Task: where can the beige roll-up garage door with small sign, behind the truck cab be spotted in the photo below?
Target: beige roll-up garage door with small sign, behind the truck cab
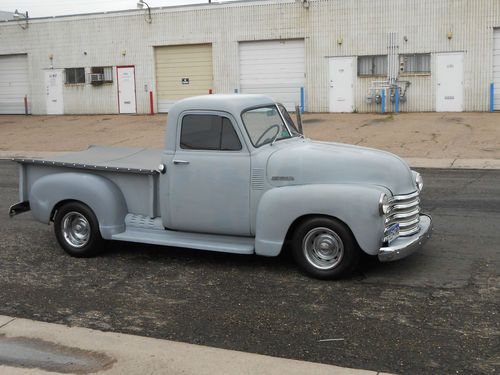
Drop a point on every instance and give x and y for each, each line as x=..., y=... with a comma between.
x=182, y=71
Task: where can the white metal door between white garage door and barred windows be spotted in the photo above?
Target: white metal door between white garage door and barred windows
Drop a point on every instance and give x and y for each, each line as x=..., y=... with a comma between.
x=341, y=84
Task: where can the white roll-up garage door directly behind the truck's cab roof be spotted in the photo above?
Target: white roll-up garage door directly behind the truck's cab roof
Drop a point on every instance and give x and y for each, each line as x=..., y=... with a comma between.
x=273, y=67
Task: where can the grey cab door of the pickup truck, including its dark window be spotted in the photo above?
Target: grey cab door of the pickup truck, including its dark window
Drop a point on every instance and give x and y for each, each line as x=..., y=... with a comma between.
x=209, y=177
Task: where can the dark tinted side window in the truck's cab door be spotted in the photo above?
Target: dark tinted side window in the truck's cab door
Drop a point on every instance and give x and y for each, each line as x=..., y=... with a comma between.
x=208, y=132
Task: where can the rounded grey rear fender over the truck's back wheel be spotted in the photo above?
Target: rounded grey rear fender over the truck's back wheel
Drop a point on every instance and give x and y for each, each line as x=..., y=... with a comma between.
x=97, y=192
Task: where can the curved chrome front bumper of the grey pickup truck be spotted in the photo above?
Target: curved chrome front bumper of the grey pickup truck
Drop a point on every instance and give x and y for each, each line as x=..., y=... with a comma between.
x=404, y=246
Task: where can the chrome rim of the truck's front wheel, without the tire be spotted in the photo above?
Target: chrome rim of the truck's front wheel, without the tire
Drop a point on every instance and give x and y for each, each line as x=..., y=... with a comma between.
x=323, y=248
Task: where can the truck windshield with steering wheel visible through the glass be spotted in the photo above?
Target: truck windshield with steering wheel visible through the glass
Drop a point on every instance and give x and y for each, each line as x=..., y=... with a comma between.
x=264, y=125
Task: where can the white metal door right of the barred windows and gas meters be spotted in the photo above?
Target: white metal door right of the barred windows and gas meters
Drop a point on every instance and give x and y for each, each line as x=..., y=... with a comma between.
x=450, y=82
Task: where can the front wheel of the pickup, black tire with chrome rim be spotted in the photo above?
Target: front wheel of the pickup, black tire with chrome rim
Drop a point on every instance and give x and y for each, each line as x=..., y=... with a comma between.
x=325, y=248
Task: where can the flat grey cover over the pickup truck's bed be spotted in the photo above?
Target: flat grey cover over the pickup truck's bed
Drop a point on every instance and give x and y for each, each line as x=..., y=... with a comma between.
x=121, y=159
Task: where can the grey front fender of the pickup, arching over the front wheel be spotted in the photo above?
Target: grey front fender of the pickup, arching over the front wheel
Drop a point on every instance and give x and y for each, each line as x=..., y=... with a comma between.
x=355, y=205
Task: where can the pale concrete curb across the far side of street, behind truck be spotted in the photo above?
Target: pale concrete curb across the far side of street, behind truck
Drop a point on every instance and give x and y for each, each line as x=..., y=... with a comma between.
x=412, y=162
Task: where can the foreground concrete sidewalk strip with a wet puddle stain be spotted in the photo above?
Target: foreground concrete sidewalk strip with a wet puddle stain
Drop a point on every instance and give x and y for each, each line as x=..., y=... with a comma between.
x=117, y=353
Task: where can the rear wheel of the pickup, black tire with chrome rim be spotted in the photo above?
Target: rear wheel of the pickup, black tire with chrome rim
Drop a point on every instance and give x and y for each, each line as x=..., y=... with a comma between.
x=77, y=230
